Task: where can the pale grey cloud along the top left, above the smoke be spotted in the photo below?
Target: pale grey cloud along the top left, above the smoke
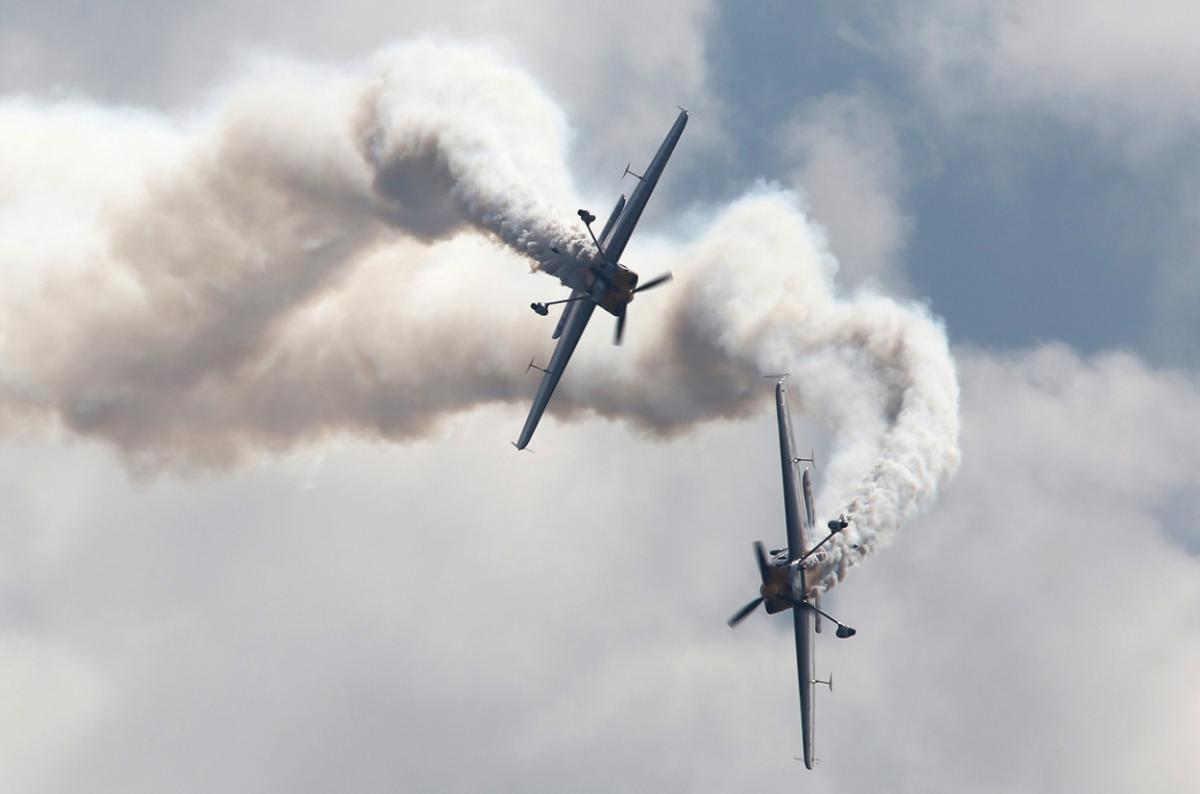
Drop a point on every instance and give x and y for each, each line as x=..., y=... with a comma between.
x=628, y=62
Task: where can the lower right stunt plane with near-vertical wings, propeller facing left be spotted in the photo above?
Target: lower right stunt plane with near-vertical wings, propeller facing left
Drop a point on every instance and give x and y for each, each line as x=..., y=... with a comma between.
x=785, y=572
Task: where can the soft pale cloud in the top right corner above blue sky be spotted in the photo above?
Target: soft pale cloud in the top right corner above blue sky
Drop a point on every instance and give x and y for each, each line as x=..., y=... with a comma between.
x=1118, y=70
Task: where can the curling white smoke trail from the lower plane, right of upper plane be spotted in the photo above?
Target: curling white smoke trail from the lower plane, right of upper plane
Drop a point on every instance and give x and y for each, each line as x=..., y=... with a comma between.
x=757, y=294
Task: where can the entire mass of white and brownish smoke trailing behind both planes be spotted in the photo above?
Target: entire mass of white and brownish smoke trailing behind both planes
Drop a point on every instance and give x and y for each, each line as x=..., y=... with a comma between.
x=334, y=251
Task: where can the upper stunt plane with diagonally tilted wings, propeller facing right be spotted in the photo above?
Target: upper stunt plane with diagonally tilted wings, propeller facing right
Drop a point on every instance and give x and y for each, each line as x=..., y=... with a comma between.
x=607, y=284
